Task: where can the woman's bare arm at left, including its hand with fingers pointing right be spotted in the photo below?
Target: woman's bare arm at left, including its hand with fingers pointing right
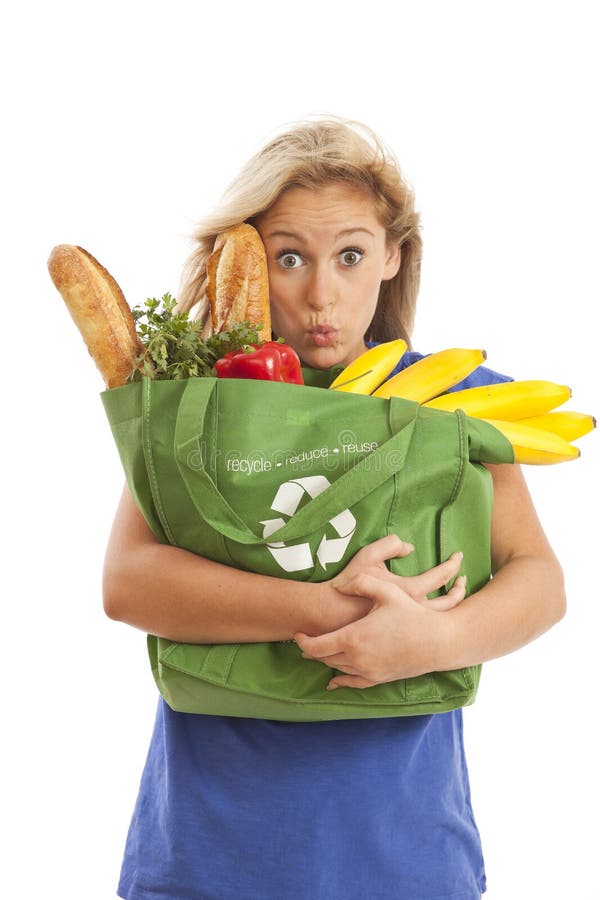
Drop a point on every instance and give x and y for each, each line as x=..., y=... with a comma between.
x=176, y=594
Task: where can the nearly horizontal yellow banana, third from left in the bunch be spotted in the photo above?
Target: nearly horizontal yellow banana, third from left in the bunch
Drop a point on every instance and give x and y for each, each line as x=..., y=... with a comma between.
x=509, y=400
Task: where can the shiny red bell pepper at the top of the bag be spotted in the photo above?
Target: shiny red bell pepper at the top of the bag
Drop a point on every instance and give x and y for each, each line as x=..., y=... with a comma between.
x=271, y=361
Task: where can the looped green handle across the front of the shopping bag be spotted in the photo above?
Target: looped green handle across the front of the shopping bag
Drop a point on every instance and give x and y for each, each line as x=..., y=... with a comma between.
x=351, y=487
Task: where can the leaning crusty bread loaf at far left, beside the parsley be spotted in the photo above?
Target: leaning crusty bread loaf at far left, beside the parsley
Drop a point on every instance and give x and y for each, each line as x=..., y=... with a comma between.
x=99, y=310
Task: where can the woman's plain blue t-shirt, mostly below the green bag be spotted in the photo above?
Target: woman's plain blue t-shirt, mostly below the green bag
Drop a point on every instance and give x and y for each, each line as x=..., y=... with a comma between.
x=346, y=810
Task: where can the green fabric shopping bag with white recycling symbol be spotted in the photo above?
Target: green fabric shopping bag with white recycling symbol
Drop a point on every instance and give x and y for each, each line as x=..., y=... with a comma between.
x=292, y=481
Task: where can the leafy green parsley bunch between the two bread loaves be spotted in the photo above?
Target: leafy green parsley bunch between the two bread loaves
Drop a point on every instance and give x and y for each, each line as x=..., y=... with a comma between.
x=172, y=342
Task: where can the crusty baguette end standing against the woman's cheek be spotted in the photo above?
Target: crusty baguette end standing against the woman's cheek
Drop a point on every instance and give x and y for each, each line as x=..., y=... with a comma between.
x=237, y=281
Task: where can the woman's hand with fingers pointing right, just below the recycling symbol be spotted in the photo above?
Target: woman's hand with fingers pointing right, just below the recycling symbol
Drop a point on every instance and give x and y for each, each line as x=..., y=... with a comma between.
x=341, y=609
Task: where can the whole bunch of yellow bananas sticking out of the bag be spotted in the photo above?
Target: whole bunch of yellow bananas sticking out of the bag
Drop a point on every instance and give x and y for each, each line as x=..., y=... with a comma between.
x=524, y=411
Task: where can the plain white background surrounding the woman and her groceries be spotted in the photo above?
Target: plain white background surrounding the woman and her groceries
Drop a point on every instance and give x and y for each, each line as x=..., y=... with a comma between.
x=123, y=123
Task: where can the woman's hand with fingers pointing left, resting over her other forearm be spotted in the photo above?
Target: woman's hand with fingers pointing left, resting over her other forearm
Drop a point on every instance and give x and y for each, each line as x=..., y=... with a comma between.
x=400, y=637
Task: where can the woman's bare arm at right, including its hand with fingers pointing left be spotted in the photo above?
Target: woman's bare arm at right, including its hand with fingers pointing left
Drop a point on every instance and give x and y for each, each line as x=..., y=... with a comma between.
x=400, y=638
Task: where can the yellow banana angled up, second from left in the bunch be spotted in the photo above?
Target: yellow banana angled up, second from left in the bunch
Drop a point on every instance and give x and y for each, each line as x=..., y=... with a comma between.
x=432, y=375
